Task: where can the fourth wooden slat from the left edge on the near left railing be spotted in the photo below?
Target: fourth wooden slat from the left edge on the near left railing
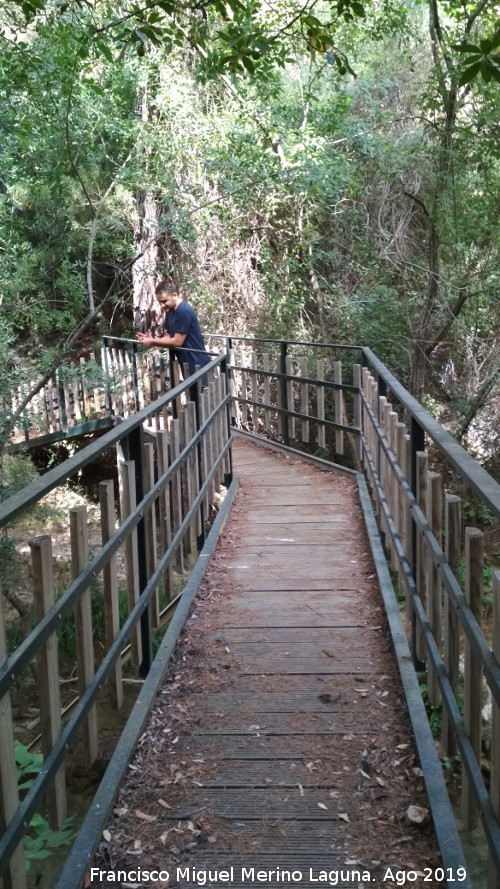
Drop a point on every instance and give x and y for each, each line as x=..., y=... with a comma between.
x=110, y=585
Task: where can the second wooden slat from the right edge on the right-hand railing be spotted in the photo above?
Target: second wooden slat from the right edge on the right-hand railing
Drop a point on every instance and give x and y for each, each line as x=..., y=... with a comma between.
x=474, y=560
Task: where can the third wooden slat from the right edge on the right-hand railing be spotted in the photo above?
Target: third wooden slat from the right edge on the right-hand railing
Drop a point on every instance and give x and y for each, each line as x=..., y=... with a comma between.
x=453, y=552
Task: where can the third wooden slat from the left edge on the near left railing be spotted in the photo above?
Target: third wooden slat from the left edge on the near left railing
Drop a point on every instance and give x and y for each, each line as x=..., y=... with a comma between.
x=79, y=538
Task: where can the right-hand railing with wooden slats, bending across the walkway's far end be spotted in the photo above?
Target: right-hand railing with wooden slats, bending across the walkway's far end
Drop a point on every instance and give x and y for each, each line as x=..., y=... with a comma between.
x=416, y=472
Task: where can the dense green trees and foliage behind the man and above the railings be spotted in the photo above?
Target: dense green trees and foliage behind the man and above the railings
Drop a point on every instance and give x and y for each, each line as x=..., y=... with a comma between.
x=327, y=170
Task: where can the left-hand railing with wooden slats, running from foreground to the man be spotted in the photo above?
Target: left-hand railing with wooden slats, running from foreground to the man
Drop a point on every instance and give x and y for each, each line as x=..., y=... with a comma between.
x=173, y=457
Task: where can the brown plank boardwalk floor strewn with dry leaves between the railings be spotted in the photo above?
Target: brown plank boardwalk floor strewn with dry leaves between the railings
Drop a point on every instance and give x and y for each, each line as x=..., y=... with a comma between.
x=281, y=739
